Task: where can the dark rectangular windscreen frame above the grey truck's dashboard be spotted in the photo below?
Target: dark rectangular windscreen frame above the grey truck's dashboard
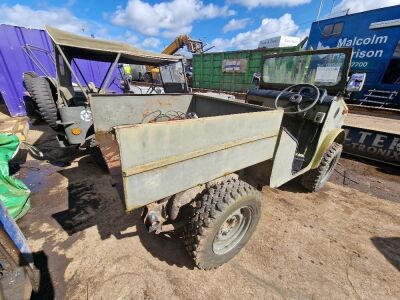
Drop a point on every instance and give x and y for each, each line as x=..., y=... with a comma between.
x=340, y=86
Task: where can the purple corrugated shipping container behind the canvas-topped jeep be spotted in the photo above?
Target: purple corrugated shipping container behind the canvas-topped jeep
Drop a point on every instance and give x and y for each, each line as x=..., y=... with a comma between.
x=14, y=61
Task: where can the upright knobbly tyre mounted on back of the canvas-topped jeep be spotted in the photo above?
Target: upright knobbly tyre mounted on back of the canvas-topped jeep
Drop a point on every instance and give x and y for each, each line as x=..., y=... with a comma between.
x=43, y=97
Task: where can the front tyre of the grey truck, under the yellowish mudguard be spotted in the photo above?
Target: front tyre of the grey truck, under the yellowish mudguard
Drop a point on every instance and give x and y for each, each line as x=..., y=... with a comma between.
x=315, y=179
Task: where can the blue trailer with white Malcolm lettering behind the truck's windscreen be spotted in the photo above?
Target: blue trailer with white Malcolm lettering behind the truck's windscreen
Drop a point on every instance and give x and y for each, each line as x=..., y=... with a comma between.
x=375, y=38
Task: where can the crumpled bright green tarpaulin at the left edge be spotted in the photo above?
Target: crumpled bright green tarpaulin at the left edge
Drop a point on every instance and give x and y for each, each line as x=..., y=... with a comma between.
x=13, y=193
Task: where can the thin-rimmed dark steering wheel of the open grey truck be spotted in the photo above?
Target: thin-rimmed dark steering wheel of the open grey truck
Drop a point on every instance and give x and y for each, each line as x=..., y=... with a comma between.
x=297, y=98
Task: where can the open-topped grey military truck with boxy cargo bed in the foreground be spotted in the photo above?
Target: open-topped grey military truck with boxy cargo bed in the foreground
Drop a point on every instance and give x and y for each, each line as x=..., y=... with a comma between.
x=198, y=163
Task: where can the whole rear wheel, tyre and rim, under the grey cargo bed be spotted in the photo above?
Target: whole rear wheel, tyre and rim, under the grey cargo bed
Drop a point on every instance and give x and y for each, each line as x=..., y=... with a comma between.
x=223, y=220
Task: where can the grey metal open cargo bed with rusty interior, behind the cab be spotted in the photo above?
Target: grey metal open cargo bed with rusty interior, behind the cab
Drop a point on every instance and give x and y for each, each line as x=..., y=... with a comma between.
x=160, y=159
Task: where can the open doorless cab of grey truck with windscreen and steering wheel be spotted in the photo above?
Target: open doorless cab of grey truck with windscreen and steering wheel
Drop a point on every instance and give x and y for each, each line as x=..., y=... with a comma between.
x=309, y=87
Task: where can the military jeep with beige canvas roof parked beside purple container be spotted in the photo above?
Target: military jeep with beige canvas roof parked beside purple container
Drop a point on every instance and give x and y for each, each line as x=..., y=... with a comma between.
x=63, y=101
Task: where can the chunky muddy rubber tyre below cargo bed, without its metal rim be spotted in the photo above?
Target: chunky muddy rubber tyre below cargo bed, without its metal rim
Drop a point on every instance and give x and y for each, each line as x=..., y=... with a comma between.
x=210, y=210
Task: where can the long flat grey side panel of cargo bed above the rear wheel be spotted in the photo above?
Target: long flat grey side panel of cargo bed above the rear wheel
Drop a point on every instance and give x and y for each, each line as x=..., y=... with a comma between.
x=162, y=159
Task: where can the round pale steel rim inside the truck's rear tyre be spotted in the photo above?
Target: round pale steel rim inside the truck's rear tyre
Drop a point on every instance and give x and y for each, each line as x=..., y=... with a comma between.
x=232, y=230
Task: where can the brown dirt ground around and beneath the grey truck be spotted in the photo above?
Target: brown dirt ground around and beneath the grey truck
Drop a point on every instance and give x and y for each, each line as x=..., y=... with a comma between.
x=342, y=242
